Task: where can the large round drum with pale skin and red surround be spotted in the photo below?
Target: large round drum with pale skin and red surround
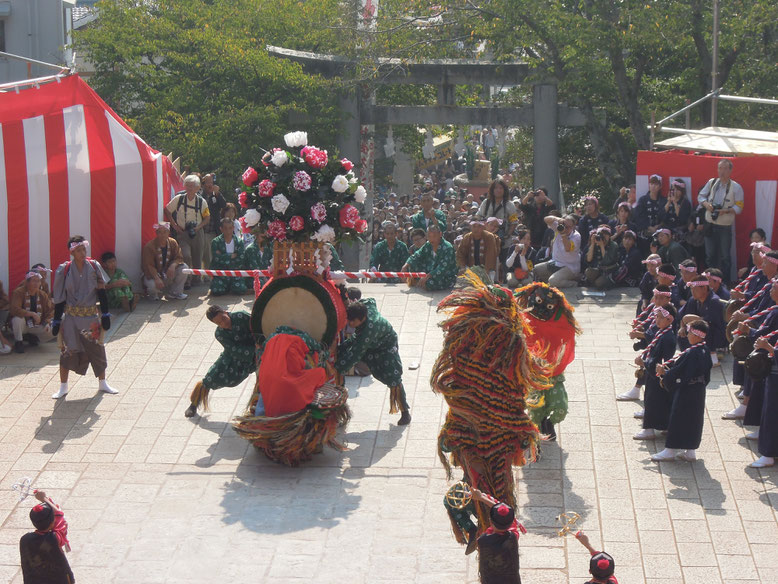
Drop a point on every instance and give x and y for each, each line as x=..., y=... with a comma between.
x=304, y=302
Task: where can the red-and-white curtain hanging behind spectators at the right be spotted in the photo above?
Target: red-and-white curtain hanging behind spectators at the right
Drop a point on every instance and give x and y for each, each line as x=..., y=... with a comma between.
x=758, y=175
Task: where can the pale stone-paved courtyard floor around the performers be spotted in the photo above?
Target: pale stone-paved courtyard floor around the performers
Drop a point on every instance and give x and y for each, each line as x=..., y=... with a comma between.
x=153, y=497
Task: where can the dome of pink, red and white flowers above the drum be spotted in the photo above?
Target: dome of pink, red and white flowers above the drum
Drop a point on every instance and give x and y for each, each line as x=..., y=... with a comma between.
x=301, y=194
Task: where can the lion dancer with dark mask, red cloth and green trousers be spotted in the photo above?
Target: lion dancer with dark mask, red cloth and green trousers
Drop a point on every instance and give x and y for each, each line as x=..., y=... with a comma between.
x=553, y=329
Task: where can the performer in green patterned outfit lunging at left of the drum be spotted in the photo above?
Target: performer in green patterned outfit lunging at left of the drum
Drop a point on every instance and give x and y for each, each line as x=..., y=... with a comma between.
x=237, y=361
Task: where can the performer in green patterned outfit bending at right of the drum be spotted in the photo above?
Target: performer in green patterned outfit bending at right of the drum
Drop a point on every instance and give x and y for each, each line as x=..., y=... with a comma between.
x=375, y=342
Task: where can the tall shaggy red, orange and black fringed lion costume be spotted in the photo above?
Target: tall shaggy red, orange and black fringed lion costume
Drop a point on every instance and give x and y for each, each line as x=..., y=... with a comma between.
x=485, y=373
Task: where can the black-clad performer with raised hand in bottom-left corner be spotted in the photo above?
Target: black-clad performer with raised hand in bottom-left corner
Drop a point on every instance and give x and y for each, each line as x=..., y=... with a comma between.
x=43, y=551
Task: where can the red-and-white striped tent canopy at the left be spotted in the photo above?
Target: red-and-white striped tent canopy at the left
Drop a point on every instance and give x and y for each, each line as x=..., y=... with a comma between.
x=70, y=165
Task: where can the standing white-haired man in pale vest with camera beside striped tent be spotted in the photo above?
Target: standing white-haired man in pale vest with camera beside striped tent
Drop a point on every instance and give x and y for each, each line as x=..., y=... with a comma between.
x=188, y=215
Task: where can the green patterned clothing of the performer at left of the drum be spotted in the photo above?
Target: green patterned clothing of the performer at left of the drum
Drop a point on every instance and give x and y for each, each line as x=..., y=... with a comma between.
x=238, y=360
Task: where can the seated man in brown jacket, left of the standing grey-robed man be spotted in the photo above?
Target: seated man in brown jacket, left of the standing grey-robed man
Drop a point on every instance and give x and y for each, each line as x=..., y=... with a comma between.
x=31, y=313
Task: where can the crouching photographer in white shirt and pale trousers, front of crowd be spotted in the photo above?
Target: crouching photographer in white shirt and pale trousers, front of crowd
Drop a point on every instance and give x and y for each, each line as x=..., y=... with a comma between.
x=564, y=268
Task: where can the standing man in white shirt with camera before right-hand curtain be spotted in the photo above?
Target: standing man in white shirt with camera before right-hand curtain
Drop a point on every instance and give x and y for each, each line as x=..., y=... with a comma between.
x=722, y=199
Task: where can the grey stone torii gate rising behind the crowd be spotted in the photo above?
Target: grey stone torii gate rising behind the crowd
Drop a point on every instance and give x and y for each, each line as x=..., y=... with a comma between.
x=545, y=115
